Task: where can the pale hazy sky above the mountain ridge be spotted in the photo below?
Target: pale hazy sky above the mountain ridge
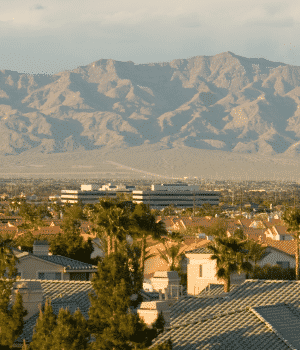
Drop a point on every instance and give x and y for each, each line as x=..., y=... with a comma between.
x=50, y=36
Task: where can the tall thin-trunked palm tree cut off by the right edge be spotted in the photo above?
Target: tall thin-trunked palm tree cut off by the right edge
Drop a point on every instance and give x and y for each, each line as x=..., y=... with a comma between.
x=291, y=218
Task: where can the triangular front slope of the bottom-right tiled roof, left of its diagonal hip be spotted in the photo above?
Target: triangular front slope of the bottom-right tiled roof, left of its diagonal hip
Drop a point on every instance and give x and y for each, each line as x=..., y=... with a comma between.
x=240, y=329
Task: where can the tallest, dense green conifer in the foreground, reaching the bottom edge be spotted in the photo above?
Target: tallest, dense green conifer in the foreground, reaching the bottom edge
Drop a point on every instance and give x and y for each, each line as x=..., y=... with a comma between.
x=111, y=322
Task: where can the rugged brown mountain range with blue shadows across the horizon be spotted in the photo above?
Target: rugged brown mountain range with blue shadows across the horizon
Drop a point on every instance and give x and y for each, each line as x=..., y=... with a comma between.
x=239, y=106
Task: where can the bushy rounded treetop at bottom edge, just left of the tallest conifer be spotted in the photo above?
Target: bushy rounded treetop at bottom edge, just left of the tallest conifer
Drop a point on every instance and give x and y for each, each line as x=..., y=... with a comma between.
x=71, y=331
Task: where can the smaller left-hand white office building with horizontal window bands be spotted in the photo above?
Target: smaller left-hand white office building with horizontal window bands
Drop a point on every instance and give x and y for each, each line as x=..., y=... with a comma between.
x=87, y=194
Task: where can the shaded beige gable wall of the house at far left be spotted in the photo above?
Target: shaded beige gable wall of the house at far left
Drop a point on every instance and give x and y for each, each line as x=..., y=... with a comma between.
x=29, y=267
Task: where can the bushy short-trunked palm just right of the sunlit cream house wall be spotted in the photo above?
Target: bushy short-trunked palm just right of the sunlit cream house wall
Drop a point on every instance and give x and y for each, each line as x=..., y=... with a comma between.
x=229, y=254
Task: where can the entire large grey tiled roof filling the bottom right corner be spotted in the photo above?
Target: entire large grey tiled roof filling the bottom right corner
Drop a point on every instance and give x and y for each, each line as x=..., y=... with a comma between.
x=242, y=319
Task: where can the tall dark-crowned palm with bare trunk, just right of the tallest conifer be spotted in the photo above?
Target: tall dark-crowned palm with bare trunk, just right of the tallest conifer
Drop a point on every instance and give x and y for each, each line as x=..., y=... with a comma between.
x=145, y=225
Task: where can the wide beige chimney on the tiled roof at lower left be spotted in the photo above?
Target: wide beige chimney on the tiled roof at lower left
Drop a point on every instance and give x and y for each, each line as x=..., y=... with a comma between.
x=32, y=295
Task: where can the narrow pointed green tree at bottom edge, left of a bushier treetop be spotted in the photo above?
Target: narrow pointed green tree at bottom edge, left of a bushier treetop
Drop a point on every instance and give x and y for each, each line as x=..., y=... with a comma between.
x=42, y=338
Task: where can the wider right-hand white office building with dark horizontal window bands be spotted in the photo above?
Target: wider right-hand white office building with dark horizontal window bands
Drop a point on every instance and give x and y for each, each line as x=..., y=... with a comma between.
x=181, y=195
